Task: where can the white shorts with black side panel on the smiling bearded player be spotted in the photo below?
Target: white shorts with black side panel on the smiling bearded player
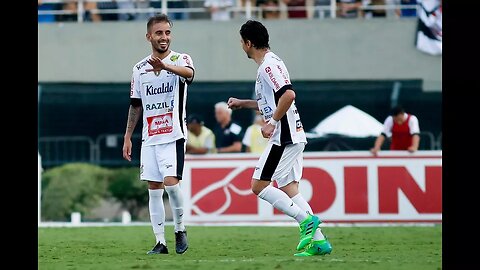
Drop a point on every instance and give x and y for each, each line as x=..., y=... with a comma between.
x=161, y=160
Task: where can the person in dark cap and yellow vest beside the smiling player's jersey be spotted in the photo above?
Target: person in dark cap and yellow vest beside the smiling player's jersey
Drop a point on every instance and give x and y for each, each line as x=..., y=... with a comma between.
x=201, y=139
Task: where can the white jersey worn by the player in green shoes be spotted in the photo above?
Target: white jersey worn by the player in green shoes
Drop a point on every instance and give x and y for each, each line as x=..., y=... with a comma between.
x=272, y=81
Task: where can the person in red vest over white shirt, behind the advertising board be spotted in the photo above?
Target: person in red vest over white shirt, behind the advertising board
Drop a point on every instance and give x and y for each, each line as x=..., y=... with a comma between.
x=403, y=129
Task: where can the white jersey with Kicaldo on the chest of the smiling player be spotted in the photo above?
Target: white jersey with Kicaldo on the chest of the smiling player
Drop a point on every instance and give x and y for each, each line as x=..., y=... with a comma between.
x=164, y=96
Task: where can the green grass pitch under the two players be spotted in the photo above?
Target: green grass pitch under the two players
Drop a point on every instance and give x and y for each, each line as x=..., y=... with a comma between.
x=239, y=248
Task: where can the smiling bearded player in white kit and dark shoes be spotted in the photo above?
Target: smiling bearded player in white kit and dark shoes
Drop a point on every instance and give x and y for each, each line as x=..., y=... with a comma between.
x=159, y=90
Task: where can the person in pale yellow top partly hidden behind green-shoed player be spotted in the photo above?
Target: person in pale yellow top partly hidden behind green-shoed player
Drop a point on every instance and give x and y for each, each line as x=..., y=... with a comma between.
x=253, y=138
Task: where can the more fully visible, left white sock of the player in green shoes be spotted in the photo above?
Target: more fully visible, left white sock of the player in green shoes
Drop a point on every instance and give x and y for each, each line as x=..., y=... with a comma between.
x=282, y=202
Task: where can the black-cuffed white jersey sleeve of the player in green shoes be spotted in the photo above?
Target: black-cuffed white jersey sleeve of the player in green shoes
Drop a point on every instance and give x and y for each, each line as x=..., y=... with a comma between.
x=276, y=78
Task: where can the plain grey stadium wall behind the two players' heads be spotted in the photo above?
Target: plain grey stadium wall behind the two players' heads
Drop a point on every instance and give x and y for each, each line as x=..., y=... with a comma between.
x=328, y=49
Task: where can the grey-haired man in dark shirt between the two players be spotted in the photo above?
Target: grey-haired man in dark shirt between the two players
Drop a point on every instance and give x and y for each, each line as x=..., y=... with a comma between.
x=228, y=135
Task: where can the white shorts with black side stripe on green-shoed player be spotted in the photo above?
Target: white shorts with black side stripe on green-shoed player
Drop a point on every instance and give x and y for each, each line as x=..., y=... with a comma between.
x=282, y=164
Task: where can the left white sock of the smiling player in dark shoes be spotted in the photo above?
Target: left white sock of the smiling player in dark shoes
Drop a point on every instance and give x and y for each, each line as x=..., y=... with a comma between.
x=157, y=214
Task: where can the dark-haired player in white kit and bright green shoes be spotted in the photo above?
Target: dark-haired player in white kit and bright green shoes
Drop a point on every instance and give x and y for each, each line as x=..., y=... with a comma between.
x=282, y=159
